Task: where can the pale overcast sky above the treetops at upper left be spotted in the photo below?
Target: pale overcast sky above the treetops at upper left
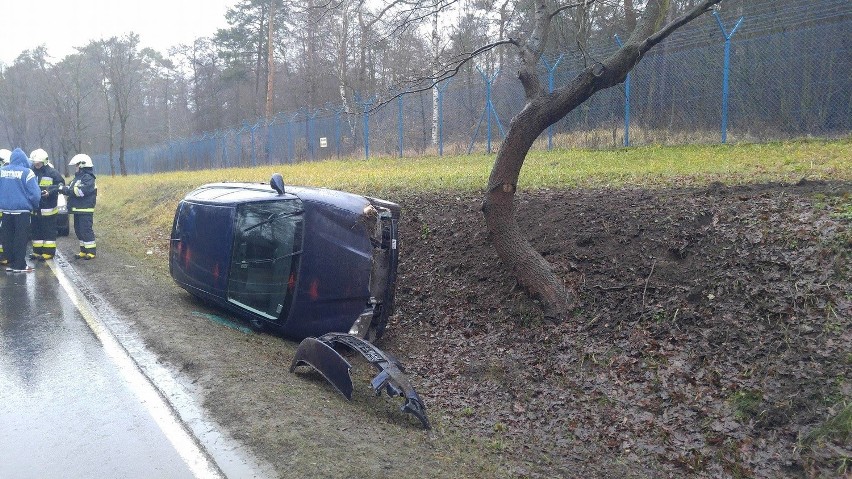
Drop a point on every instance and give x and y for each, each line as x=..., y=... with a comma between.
x=62, y=25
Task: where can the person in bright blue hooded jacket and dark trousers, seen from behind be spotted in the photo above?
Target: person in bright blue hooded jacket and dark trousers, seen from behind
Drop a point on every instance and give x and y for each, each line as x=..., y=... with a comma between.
x=19, y=196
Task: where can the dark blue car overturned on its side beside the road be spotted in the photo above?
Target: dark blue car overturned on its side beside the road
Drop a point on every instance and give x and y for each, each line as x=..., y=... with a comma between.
x=302, y=262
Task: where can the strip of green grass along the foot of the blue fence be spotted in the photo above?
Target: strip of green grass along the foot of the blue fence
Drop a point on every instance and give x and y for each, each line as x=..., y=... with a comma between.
x=135, y=212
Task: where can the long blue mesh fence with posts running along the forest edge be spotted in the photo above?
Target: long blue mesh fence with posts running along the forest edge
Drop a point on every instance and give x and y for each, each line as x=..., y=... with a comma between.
x=748, y=78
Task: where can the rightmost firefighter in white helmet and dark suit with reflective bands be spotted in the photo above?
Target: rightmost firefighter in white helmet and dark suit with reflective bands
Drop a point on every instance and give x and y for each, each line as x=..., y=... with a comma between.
x=82, y=194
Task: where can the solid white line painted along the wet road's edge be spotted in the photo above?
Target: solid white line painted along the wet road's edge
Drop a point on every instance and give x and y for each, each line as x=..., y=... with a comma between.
x=184, y=443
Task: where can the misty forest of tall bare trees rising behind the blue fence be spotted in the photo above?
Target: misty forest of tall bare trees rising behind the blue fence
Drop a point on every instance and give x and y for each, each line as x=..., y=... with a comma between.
x=112, y=95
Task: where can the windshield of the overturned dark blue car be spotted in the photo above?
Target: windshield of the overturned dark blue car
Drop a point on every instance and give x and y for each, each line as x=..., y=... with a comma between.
x=267, y=245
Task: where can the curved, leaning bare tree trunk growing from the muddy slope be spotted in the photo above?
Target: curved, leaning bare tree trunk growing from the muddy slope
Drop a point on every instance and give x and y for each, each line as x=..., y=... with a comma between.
x=543, y=109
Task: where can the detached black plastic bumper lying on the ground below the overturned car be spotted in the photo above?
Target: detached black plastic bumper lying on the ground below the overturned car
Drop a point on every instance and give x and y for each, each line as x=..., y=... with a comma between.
x=319, y=353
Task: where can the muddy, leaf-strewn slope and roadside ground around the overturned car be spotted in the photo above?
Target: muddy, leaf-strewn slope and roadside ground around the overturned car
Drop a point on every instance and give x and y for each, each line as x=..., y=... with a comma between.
x=711, y=339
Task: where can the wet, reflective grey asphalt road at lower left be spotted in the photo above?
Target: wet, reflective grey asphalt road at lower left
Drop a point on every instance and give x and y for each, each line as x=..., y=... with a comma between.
x=70, y=405
